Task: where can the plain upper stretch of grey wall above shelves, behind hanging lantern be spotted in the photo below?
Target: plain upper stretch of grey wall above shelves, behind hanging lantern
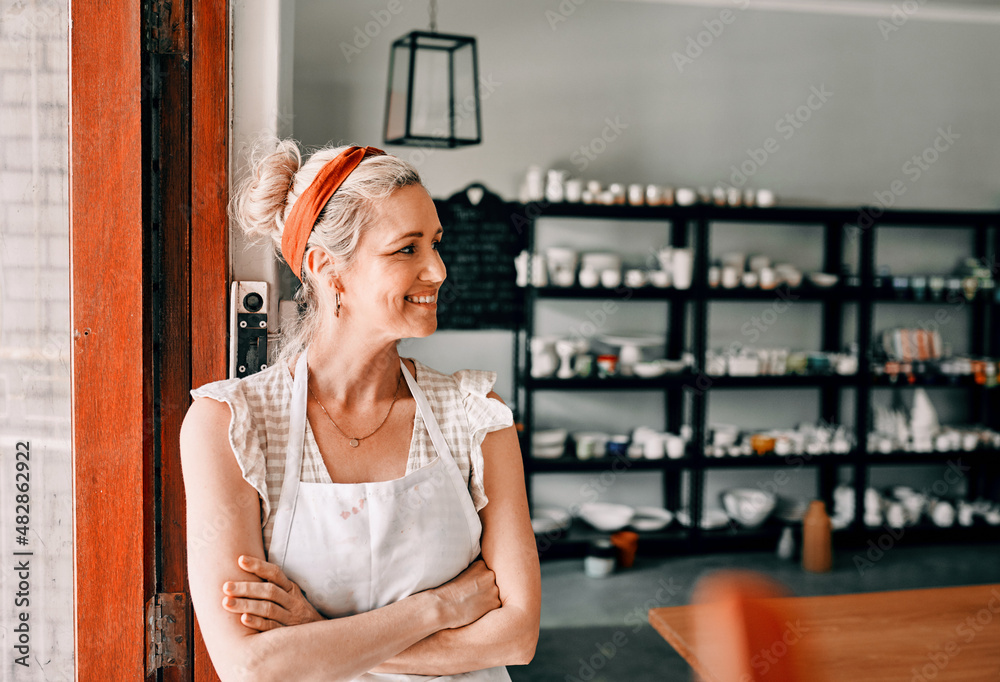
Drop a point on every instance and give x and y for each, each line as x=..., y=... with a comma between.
x=555, y=87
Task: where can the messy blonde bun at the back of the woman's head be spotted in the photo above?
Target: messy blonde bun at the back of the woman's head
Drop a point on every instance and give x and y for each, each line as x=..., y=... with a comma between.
x=260, y=201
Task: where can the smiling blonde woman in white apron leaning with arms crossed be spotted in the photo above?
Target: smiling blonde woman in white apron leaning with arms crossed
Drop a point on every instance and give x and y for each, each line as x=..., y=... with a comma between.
x=338, y=501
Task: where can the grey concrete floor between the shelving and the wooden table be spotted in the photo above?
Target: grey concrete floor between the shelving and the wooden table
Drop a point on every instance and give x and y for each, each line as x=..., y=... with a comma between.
x=581, y=614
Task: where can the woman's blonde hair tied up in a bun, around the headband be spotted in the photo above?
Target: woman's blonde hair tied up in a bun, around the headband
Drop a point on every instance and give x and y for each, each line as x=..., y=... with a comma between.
x=262, y=201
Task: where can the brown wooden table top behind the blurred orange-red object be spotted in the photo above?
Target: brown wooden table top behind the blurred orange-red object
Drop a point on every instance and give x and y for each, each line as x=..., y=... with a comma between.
x=943, y=634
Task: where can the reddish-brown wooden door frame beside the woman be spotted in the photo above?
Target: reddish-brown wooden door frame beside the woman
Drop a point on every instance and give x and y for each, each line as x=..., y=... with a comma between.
x=116, y=415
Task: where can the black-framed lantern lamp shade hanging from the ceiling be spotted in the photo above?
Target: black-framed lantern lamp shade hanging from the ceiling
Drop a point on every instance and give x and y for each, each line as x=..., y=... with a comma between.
x=433, y=96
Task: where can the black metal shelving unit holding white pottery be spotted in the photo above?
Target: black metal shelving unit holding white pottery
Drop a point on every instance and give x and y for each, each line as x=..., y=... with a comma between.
x=689, y=392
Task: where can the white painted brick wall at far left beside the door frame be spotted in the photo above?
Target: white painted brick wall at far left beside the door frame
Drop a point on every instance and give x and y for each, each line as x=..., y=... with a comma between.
x=35, y=330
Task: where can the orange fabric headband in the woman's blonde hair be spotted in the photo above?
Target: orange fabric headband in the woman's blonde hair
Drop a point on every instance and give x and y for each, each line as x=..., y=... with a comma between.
x=310, y=203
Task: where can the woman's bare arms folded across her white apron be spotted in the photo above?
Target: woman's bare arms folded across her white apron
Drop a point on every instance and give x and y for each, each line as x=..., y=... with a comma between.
x=486, y=616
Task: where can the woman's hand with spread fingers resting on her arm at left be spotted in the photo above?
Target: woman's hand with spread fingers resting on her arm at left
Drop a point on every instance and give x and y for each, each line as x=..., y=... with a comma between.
x=270, y=604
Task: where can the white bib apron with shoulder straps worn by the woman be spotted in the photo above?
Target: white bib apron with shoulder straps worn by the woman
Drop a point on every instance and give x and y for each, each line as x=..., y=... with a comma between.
x=355, y=547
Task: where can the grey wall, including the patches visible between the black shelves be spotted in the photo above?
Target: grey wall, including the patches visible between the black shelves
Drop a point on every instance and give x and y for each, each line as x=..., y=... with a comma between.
x=556, y=77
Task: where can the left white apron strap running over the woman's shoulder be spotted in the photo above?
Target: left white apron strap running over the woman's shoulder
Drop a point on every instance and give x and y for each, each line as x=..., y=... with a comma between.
x=293, y=463
